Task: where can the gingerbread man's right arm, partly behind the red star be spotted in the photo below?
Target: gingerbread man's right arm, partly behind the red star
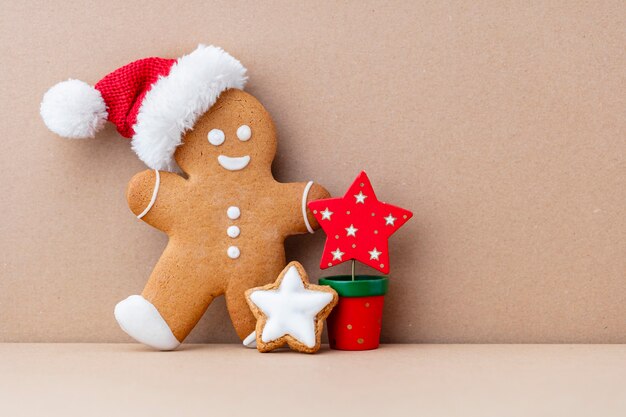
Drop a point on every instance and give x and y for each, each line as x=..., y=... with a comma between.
x=296, y=196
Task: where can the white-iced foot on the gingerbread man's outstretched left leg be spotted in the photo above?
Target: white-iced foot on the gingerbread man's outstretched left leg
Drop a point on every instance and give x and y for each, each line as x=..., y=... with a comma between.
x=142, y=321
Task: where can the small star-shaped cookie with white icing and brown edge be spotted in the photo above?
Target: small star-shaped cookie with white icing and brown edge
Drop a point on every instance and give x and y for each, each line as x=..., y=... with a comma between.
x=291, y=311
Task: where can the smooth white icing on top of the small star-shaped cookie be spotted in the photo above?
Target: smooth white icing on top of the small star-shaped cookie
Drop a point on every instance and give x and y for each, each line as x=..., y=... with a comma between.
x=290, y=309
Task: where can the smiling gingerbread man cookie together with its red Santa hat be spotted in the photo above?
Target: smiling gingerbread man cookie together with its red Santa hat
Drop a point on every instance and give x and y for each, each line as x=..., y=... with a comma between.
x=226, y=216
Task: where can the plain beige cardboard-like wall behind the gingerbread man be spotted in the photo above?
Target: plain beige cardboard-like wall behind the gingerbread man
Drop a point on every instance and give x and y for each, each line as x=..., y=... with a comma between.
x=502, y=126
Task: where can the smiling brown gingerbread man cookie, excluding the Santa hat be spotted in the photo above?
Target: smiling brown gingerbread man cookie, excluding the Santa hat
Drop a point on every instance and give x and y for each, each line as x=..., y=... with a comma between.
x=227, y=221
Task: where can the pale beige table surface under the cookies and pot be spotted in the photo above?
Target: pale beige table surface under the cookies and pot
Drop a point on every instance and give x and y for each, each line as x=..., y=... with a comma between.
x=395, y=380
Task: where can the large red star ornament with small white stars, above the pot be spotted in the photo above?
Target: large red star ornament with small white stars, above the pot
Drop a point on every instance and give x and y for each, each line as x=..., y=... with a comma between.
x=357, y=226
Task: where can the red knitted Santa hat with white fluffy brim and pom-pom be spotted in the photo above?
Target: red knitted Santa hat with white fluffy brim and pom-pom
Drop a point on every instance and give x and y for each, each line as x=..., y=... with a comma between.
x=153, y=101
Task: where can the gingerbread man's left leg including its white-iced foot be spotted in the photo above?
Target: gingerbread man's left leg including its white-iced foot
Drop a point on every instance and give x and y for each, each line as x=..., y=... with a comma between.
x=172, y=302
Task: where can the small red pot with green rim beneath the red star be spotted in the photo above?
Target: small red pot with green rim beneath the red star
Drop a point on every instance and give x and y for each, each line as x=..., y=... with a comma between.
x=356, y=320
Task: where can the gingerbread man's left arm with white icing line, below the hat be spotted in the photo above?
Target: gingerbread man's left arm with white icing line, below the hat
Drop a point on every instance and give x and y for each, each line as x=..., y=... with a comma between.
x=151, y=196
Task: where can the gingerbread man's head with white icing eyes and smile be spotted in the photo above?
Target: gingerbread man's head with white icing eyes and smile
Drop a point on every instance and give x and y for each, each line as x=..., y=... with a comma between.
x=236, y=137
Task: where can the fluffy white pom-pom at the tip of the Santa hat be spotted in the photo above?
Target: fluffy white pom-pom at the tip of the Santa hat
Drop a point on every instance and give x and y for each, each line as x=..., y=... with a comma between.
x=74, y=109
